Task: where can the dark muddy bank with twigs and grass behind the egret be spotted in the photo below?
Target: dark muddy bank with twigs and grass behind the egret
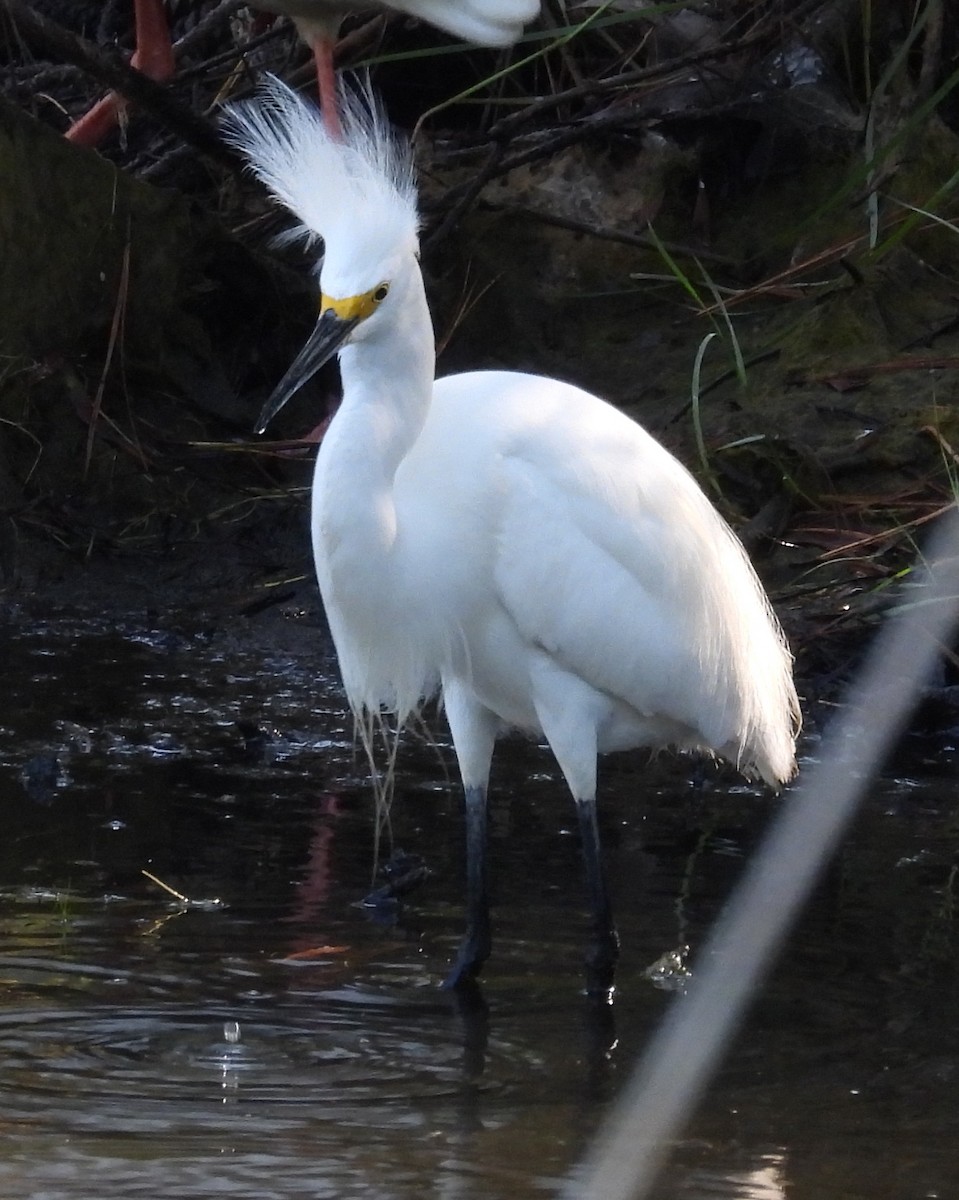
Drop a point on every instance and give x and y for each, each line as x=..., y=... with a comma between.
x=742, y=235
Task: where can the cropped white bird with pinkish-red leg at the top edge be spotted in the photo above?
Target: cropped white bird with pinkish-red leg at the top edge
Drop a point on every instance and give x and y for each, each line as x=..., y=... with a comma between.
x=494, y=23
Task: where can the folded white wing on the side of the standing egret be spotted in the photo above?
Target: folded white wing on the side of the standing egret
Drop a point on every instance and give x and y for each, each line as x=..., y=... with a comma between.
x=612, y=560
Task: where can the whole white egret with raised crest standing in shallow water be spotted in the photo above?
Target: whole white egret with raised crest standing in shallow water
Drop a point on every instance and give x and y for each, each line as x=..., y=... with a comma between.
x=507, y=538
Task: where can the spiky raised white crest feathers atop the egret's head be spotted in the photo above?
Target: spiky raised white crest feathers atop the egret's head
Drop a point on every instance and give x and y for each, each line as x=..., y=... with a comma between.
x=335, y=188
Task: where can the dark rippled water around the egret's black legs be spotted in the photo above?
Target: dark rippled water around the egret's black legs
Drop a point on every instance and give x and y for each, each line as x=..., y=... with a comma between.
x=274, y=1039
